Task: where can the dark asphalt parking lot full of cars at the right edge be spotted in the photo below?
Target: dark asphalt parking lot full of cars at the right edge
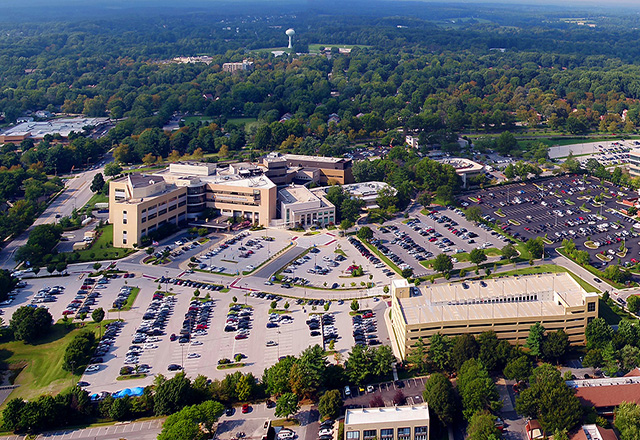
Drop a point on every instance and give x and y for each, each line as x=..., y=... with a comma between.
x=565, y=208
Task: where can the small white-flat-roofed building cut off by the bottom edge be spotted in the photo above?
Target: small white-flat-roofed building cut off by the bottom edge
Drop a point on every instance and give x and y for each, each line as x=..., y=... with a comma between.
x=387, y=423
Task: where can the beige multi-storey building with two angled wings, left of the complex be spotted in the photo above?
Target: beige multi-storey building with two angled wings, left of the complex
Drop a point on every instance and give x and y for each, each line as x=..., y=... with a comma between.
x=139, y=204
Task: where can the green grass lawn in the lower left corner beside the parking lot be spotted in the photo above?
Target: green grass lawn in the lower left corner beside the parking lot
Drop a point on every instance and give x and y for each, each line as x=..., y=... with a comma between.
x=42, y=372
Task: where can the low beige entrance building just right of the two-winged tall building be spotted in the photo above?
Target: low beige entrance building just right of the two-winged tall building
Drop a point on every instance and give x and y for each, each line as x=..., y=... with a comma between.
x=301, y=207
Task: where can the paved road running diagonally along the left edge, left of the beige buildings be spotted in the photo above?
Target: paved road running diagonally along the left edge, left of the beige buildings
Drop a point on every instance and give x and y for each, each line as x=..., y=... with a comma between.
x=76, y=194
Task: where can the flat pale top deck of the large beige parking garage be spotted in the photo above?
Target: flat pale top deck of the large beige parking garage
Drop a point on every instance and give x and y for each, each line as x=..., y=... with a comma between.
x=508, y=297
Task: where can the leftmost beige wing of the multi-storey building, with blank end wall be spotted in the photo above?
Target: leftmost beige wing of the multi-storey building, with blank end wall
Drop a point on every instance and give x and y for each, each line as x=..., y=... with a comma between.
x=140, y=204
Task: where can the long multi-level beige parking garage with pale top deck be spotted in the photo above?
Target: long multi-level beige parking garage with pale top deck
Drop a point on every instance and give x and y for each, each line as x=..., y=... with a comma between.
x=509, y=306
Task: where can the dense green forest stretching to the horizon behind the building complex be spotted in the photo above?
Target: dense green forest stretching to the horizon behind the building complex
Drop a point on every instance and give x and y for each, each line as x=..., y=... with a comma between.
x=434, y=70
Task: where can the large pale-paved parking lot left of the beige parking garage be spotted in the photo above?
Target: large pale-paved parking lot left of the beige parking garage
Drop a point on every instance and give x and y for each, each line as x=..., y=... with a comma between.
x=262, y=346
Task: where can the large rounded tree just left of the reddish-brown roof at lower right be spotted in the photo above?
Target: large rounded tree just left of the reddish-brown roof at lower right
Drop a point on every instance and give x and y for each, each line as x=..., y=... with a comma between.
x=550, y=400
